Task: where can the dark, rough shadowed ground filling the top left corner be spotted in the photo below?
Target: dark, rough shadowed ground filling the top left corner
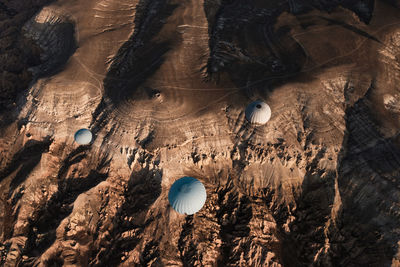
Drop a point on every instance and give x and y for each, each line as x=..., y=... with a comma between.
x=17, y=54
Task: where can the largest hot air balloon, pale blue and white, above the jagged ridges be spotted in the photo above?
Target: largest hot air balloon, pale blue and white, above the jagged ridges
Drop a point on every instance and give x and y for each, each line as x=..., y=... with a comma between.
x=187, y=195
